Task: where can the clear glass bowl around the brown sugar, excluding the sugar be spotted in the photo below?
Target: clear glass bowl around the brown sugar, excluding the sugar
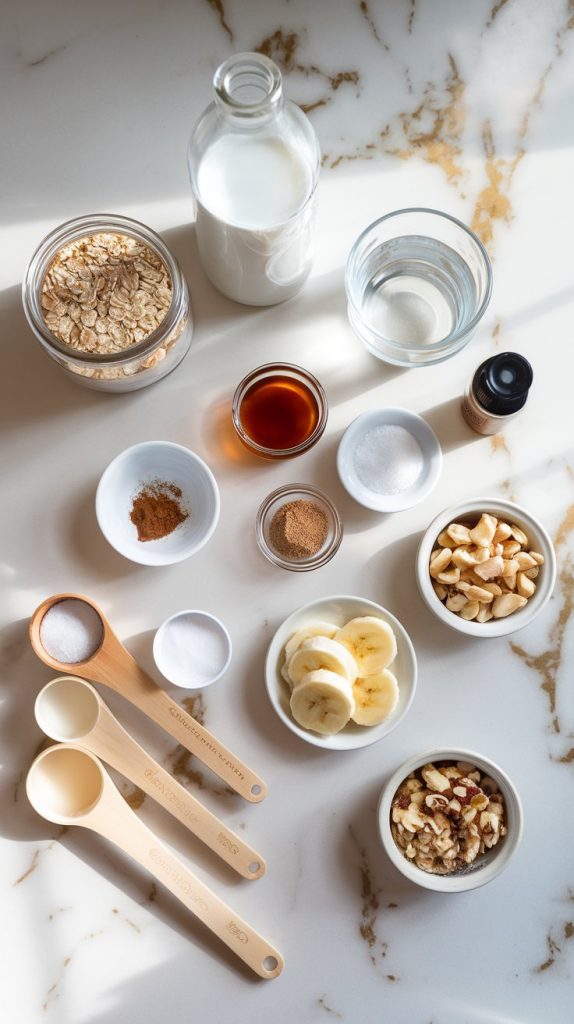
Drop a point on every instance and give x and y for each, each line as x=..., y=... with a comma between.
x=276, y=501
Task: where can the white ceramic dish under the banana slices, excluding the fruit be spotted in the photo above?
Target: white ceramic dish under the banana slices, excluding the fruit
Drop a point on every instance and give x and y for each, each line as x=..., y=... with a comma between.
x=340, y=610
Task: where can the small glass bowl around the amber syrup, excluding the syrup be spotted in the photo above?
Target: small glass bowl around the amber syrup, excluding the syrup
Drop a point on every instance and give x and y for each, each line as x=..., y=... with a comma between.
x=306, y=382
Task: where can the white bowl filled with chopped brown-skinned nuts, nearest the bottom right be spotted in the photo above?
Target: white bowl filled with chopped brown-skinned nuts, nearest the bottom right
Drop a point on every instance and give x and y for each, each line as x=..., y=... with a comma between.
x=451, y=820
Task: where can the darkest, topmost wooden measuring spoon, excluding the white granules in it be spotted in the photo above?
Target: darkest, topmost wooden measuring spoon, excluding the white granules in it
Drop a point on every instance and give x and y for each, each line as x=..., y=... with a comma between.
x=113, y=665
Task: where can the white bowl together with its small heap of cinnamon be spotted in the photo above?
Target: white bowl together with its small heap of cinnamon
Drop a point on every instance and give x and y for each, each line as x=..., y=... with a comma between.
x=158, y=503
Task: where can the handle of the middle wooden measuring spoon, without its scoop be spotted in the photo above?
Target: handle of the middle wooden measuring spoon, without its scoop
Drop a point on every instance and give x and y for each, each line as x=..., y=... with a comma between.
x=113, y=744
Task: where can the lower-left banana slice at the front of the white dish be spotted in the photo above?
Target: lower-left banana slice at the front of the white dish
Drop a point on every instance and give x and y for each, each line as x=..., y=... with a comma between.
x=323, y=702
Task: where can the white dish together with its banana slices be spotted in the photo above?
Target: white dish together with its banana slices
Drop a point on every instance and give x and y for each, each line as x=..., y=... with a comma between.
x=341, y=672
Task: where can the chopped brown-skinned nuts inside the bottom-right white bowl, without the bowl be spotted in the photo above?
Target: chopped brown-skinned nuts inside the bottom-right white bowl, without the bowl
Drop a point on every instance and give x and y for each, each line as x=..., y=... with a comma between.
x=446, y=817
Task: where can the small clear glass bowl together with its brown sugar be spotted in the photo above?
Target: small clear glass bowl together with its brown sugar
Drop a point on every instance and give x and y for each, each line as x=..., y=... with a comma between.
x=298, y=528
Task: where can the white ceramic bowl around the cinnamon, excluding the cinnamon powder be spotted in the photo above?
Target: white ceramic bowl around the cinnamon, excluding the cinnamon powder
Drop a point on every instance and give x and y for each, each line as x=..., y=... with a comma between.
x=141, y=465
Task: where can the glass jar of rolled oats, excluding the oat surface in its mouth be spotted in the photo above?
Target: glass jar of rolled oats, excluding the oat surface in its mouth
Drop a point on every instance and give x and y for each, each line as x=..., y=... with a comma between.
x=138, y=366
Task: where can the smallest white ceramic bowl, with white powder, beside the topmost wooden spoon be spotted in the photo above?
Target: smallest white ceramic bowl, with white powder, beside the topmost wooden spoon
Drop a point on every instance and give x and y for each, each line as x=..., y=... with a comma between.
x=217, y=638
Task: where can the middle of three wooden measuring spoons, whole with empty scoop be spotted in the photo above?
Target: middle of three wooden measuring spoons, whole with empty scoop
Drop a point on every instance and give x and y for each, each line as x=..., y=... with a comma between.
x=70, y=709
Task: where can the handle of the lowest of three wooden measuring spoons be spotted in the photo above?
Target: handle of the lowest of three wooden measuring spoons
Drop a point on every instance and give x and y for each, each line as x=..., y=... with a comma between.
x=122, y=827
